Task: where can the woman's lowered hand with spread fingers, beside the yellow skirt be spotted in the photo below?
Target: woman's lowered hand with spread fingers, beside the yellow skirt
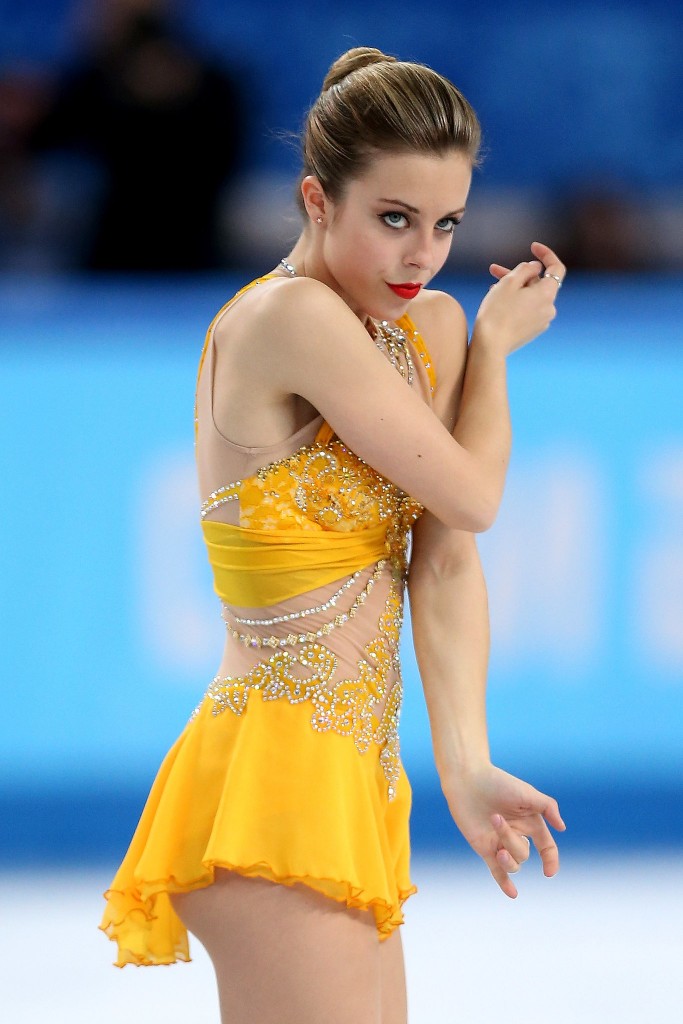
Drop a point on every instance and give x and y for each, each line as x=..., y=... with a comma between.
x=500, y=817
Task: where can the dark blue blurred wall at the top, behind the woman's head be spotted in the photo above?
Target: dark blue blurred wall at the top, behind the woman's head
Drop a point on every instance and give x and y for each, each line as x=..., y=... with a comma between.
x=588, y=93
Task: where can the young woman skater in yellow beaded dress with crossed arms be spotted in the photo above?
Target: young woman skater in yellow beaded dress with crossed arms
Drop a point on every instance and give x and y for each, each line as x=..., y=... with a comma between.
x=340, y=411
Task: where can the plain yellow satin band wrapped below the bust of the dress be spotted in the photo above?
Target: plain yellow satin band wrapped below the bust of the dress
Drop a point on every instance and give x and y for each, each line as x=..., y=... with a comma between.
x=257, y=568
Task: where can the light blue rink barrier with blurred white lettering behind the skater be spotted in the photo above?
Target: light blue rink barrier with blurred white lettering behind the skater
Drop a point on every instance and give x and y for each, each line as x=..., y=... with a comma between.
x=112, y=631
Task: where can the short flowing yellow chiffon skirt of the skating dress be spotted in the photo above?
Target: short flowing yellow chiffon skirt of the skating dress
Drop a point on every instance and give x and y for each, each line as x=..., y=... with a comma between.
x=266, y=795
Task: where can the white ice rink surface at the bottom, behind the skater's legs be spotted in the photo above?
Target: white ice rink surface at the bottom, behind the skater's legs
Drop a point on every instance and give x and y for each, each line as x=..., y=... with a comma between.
x=601, y=944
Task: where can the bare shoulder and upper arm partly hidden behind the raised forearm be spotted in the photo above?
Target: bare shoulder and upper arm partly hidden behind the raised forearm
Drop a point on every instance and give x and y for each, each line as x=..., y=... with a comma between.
x=443, y=324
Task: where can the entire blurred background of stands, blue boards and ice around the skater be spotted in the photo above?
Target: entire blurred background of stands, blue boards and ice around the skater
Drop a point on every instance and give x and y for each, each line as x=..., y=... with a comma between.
x=148, y=163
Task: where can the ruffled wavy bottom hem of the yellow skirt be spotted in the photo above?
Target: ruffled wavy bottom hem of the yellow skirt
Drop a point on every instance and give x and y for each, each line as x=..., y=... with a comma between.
x=149, y=933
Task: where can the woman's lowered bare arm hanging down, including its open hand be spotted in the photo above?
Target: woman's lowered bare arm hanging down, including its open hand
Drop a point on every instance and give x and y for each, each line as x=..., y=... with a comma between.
x=495, y=812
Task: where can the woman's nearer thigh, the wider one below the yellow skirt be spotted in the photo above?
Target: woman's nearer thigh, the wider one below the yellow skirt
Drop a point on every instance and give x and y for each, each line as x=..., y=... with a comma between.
x=286, y=955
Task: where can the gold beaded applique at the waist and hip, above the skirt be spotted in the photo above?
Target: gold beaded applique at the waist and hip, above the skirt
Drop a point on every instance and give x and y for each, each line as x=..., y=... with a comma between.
x=347, y=708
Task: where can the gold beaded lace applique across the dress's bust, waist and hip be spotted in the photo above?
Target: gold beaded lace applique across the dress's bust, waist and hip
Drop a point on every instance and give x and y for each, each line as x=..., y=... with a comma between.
x=325, y=487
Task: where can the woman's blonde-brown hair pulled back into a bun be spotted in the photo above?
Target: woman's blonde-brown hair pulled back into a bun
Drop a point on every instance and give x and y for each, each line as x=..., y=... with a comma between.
x=372, y=104
